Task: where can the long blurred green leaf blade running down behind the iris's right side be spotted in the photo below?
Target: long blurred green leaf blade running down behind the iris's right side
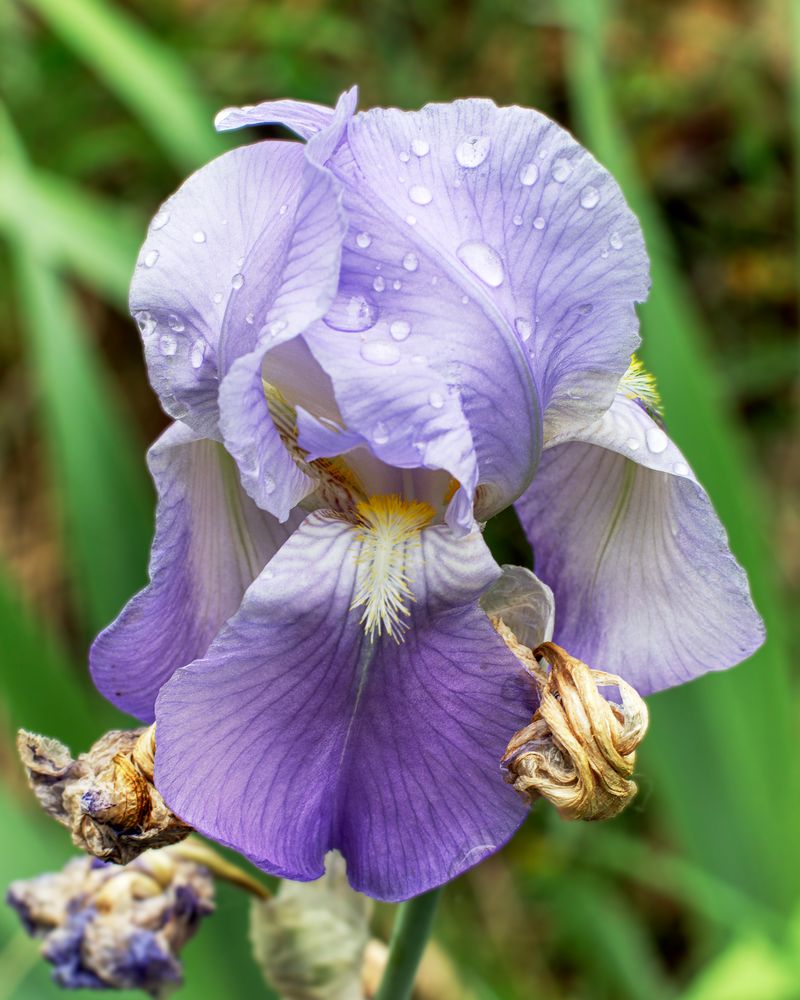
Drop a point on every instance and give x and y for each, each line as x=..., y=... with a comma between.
x=696, y=745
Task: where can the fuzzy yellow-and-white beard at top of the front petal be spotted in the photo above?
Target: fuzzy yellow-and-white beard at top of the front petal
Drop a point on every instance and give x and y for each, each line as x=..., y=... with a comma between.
x=387, y=526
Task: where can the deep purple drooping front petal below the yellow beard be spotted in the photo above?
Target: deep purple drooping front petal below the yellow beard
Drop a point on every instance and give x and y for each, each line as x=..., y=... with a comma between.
x=315, y=737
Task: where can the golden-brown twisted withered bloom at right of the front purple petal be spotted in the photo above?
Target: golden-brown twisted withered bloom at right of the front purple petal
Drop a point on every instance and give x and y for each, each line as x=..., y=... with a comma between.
x=579, y=750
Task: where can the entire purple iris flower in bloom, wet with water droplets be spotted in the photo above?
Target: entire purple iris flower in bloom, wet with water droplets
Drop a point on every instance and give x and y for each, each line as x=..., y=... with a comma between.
x=366, y=341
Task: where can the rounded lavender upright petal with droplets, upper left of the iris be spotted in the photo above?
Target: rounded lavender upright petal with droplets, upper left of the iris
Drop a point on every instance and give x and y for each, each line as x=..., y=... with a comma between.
x=228, y=250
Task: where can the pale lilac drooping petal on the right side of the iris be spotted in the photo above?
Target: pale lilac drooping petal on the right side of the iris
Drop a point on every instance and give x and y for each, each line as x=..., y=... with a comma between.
x=645, y=584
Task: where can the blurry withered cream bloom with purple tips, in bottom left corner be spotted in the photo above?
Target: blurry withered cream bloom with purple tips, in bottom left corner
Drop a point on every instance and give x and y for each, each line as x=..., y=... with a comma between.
x=106, y=927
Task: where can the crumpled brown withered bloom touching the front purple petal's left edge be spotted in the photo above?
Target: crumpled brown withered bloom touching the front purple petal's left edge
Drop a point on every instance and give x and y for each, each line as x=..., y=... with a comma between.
x=106, y=797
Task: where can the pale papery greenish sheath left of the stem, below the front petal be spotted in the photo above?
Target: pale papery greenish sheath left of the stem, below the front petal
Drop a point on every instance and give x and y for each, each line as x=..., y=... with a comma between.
x=310, y=938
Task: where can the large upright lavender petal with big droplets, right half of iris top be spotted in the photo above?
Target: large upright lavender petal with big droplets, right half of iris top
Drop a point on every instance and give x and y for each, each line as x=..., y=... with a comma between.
x=488, y=246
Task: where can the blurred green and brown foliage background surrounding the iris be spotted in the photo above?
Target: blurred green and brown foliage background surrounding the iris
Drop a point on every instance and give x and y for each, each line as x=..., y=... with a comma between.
x=693, y=105
